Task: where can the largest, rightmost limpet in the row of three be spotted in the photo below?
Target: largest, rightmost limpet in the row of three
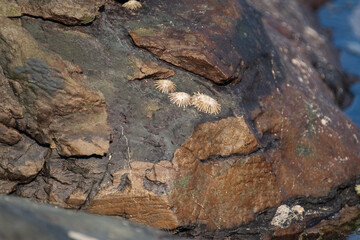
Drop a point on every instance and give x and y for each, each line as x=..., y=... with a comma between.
x=204, y=103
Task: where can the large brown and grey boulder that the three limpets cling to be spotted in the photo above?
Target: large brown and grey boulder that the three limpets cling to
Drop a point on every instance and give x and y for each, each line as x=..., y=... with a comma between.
x=75, y=93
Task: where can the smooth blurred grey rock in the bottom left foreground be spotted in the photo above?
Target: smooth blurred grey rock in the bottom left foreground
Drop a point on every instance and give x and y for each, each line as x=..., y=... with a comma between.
x=40, y=221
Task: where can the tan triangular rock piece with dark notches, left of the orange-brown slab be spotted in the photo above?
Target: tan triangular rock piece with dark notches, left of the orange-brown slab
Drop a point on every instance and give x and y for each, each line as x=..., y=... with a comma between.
x=128, y=197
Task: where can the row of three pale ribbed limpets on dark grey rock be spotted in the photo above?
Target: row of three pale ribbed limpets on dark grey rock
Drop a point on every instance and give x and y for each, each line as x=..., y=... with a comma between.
x=200, y=101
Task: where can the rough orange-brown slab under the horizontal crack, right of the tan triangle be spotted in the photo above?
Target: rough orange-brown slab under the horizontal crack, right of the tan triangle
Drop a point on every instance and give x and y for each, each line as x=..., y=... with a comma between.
x=222, y=194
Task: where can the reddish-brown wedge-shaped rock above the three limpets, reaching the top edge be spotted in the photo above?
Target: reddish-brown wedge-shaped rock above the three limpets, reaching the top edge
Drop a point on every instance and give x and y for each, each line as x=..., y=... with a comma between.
x=193, y=49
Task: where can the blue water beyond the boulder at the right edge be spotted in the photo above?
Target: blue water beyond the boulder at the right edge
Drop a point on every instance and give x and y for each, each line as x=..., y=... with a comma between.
x=343, y=18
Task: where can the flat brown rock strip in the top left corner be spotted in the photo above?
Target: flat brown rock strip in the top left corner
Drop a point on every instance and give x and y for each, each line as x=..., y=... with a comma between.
x=68, y=12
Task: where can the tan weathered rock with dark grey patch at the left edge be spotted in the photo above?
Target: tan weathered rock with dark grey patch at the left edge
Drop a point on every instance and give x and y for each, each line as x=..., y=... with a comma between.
x=58, y=105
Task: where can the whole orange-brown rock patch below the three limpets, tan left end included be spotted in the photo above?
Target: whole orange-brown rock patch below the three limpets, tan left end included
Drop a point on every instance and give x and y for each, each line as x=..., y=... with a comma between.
x=189, y=190
